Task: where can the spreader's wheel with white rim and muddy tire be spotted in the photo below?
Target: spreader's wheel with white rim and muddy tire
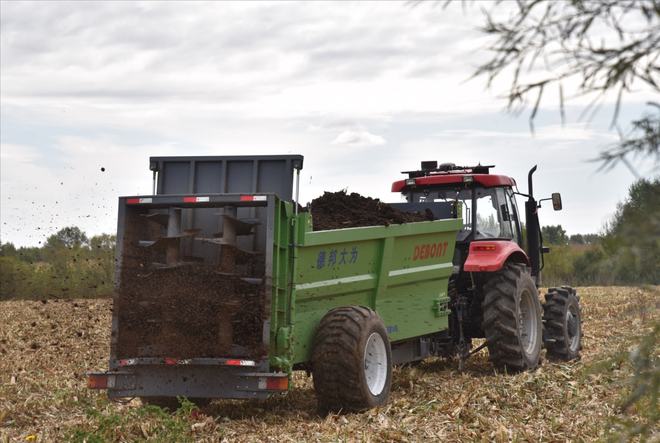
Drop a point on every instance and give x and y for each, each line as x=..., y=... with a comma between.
x=351, y=361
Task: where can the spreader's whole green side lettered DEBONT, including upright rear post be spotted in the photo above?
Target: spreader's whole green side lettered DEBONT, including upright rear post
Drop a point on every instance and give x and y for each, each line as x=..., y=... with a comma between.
x=401, y=271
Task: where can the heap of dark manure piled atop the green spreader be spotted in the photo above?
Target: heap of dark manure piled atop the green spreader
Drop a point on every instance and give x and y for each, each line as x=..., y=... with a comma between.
x=336, y=210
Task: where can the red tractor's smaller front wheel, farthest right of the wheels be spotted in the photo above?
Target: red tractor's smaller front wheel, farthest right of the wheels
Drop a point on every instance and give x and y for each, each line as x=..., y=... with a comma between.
x=562, y=334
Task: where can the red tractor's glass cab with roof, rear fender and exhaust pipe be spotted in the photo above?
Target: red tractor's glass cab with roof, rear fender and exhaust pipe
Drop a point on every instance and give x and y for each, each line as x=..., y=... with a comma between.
x=486, y=202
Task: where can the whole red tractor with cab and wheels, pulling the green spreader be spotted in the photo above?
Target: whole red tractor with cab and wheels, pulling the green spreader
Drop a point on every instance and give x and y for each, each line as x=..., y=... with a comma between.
x=497, y=268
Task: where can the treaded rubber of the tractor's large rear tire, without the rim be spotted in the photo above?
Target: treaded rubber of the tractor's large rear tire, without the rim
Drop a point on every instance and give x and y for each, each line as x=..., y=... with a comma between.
x=500, y=319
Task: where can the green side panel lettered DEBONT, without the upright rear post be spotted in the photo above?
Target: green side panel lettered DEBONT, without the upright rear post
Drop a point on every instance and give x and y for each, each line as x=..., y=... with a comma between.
x=401, y=271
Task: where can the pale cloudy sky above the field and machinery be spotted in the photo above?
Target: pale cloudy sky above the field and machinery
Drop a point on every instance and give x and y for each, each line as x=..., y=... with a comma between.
x=89, y=91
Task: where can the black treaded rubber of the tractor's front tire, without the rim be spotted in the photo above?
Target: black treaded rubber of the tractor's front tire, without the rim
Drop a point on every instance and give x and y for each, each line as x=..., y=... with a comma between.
x=554, y=312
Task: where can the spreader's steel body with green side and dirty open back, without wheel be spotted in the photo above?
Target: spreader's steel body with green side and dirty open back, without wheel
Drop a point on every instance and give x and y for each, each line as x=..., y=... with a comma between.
x=178, y=331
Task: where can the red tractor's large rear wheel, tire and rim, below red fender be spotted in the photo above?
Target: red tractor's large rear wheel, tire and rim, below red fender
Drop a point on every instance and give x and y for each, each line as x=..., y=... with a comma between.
x=512, y=319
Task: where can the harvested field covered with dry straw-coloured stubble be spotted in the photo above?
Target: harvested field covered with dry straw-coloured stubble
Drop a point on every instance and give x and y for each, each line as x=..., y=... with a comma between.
x=46, y=347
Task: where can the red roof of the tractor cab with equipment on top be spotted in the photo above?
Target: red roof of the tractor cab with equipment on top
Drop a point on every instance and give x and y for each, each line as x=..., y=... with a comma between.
x=448, y=173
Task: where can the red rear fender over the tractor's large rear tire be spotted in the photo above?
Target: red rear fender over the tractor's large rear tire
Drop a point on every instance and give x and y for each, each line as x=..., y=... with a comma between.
x=490, y=256
